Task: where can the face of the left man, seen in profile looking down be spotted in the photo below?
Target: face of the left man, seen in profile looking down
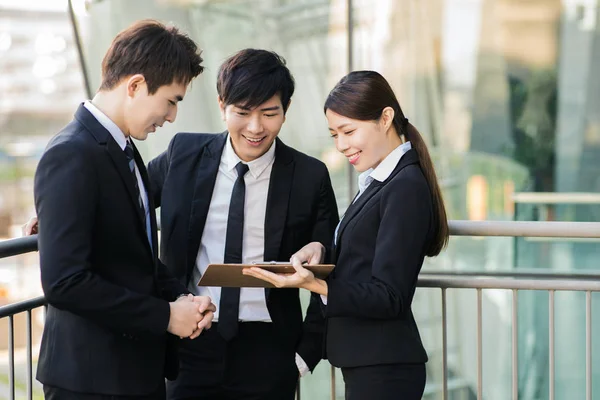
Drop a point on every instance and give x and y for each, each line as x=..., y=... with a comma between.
x=145, y=112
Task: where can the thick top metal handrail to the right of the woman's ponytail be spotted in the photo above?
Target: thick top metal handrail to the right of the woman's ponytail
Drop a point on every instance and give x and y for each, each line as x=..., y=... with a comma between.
x=525, y=229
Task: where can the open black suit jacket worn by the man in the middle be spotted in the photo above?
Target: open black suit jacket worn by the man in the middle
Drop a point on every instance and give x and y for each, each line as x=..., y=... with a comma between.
x=301, y=208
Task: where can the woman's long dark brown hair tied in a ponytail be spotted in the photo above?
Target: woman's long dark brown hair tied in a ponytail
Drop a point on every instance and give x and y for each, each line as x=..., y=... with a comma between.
x=363, y=95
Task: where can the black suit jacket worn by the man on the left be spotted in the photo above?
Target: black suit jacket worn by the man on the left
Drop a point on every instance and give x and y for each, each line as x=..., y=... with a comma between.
x=108, y=312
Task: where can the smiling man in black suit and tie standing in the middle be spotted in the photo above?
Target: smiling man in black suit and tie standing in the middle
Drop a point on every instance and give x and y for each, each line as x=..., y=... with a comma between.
x=244, y=196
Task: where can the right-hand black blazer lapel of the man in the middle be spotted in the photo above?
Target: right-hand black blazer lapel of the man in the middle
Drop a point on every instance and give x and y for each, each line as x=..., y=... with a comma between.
x=280, y=186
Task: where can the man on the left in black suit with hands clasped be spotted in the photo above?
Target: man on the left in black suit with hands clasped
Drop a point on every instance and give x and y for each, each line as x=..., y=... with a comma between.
x=111, y=302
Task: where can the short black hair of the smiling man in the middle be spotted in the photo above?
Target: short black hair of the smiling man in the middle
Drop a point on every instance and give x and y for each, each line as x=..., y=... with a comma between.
x=250, y=77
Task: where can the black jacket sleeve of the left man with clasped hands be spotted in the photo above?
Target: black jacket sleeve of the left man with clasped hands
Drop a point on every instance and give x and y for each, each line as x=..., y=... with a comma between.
x=66, y=196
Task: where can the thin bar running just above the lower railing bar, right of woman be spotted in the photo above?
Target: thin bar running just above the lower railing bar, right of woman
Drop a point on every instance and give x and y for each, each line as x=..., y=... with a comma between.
x=518, y=273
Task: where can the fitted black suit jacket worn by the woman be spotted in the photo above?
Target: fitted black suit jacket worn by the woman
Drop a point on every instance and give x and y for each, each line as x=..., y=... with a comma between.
x=380, y=250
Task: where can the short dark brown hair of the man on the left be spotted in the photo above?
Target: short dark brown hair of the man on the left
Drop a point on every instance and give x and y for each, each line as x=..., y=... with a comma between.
x=161, y=53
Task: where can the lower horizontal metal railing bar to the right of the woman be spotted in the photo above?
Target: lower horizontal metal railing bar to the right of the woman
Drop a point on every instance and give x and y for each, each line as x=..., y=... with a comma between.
x=451, y=282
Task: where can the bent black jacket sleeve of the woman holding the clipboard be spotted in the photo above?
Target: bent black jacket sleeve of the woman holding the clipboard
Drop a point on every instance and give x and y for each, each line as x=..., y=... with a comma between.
x=403, y=233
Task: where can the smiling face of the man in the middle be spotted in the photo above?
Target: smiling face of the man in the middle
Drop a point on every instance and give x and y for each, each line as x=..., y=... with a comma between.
x=253, y=131
